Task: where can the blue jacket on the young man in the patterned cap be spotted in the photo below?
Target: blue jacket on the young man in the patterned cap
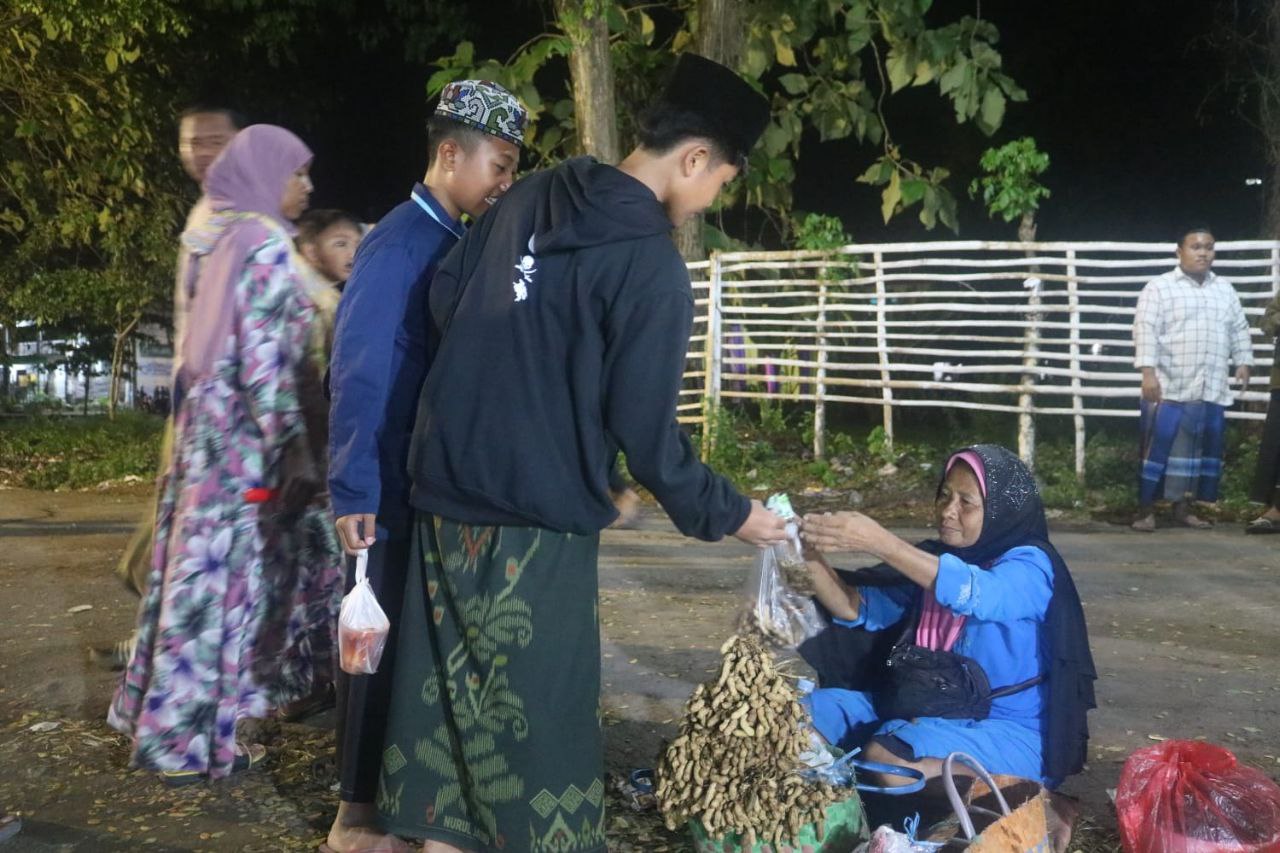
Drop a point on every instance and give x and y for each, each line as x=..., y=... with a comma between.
x=381, y=357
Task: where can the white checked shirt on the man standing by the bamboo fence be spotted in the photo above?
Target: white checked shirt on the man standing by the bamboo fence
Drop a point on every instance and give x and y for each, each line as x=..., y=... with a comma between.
x=1191, y=332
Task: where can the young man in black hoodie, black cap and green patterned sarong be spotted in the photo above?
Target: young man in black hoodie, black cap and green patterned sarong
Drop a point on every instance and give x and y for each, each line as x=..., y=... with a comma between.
x=560, y=327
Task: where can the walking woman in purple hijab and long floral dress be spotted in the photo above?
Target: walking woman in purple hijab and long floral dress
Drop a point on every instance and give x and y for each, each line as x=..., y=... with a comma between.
x=239, y=617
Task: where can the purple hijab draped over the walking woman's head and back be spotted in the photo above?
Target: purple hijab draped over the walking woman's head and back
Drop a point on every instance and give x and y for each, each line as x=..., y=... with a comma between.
x=249, y=177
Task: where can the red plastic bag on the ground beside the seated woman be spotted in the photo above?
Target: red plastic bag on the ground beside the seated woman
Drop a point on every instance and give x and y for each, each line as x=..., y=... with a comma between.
x=1194, y=797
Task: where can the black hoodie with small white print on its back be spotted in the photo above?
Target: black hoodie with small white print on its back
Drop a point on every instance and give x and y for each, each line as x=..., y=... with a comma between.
x=561, y=323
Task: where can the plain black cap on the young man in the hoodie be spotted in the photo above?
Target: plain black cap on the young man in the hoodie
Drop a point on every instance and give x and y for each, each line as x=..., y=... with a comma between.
x=732, y=108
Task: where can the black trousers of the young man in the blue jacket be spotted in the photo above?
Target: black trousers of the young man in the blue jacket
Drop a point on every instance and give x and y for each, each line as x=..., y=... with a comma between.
x=364, y=700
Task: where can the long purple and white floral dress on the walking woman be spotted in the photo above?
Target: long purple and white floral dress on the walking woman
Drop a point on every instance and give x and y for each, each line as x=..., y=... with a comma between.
x=241, y=608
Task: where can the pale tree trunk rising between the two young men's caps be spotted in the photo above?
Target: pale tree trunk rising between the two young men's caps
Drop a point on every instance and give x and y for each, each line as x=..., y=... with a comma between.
x=592, y=74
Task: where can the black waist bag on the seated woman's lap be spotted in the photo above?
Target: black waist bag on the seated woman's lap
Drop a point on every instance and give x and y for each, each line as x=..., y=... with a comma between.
x=926, y=683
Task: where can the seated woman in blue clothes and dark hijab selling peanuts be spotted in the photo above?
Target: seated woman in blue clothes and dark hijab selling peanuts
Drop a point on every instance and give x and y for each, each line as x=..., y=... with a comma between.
x=993, y=590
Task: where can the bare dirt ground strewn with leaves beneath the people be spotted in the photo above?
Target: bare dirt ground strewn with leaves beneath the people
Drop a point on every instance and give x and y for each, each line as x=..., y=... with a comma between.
x=1183, y=626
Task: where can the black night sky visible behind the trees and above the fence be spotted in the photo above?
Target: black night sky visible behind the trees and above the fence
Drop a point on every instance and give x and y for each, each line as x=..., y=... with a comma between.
x=1119, y=97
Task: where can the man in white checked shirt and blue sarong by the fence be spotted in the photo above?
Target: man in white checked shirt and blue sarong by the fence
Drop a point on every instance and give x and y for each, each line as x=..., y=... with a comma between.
x=1188, y=330
